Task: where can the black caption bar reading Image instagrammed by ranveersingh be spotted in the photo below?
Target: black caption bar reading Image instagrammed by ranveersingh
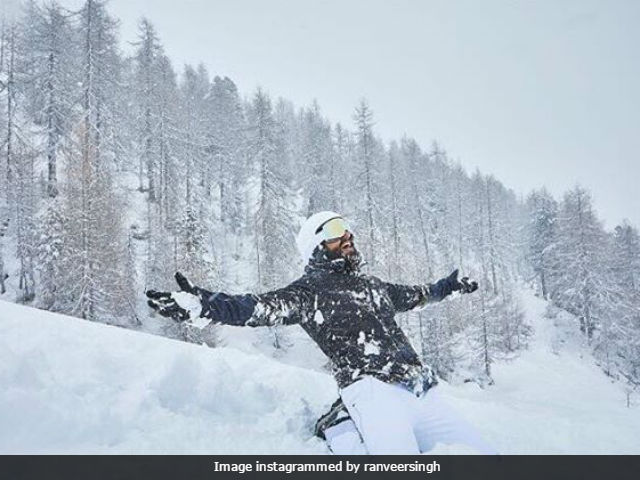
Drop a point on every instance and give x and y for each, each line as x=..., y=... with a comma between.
x=121, y=467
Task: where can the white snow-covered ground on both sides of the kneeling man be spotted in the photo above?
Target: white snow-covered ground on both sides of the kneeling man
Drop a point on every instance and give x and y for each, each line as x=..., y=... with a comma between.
x=70, y=386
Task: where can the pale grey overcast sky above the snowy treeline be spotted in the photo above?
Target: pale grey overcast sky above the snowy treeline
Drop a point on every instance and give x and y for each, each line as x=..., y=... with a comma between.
x=534, y=92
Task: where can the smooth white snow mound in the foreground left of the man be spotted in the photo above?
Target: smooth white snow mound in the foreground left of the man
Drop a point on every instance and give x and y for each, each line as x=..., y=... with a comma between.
x=71, y=386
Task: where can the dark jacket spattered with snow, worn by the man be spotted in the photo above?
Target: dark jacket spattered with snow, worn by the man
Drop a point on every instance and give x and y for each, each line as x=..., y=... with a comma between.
x=348, y=314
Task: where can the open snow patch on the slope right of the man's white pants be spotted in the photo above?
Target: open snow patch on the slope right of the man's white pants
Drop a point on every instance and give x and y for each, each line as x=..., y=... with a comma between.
x=551, y=400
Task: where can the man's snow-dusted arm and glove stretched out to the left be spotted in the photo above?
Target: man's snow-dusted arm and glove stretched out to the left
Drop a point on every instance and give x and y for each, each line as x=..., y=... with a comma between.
x=287, y=305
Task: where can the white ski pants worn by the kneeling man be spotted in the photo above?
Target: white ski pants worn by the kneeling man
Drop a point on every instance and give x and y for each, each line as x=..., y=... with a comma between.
x=390, y=420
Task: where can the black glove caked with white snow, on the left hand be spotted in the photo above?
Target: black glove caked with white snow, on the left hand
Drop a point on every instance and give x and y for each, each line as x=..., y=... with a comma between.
x=177, y=305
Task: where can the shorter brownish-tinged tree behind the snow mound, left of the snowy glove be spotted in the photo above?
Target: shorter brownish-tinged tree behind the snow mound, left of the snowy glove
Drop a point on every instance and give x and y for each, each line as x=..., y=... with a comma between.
x=96, y=285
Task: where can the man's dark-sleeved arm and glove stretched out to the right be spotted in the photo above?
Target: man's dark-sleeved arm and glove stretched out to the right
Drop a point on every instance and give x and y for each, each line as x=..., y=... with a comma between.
x=408, y=297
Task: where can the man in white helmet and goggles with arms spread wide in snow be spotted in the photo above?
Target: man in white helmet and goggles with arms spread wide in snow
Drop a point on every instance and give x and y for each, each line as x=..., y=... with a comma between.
x=387, y=404
